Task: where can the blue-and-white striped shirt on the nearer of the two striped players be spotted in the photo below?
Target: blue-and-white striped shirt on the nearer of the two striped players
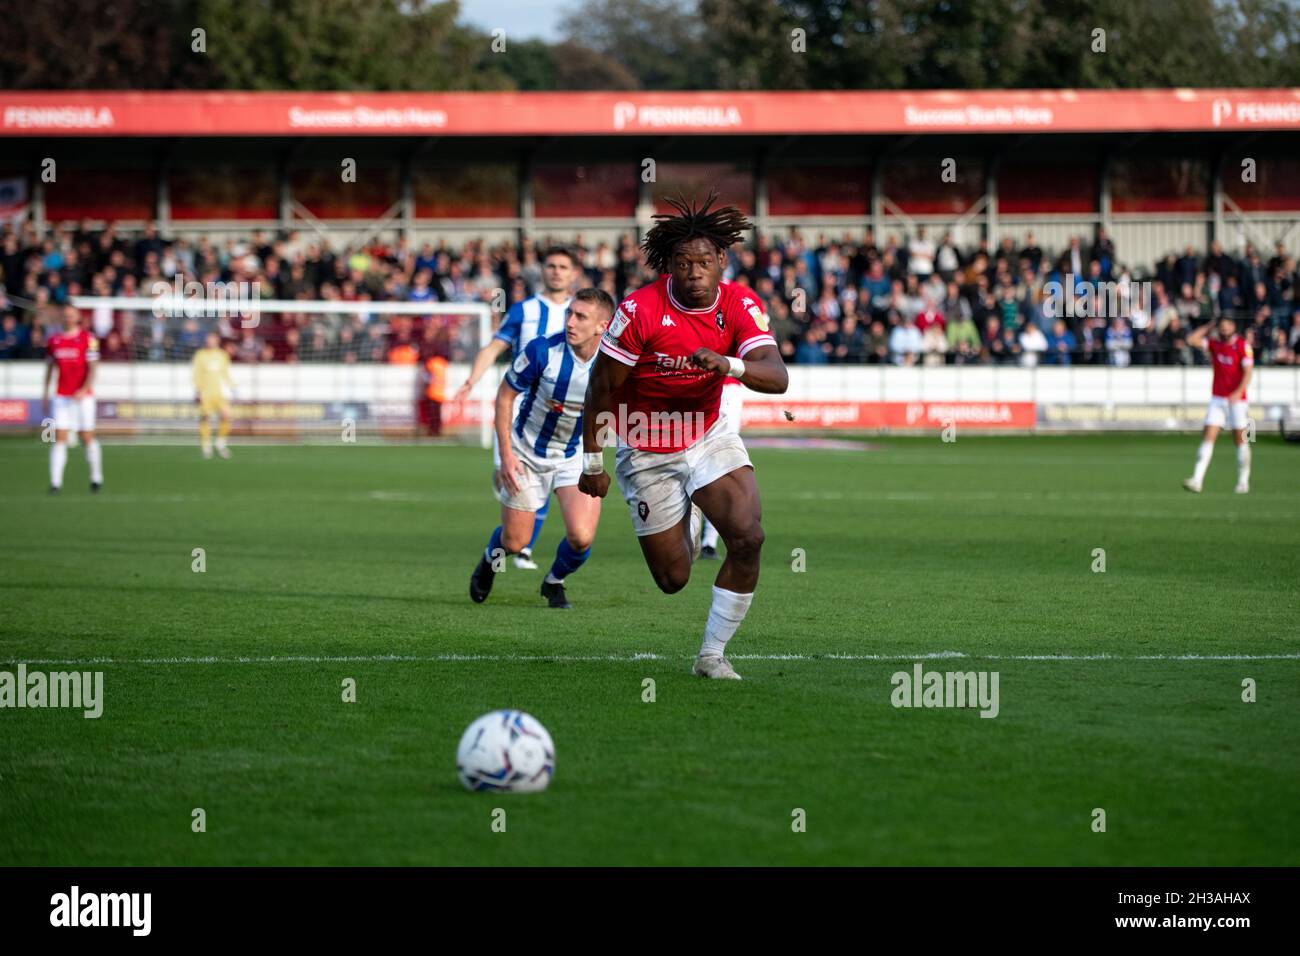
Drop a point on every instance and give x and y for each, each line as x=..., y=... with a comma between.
x=553, y=382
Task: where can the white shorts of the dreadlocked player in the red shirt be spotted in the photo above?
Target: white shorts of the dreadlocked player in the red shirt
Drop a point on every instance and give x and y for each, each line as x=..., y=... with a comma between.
x=658, y=485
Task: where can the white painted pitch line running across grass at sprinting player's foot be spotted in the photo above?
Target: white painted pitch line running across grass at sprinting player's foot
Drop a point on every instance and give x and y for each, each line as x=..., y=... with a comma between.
x=629, y=659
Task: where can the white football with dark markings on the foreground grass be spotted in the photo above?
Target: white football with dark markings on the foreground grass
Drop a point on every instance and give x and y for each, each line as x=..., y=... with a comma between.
x=506, y=751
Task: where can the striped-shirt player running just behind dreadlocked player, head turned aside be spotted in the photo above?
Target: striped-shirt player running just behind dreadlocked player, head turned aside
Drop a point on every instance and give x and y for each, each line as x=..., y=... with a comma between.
x=540, y=435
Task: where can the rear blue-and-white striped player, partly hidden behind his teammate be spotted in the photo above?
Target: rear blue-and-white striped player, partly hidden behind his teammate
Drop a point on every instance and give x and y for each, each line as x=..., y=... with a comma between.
x=539, y=317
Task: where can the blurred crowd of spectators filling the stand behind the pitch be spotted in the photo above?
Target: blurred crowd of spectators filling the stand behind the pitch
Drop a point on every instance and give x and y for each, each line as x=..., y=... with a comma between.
x=918, y=301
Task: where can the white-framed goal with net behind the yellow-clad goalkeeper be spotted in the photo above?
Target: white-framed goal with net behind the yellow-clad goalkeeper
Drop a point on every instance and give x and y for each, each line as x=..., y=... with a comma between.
x=322, y=370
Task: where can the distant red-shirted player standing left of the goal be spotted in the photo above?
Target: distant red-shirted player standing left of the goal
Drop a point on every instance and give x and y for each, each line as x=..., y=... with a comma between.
x=76, y=353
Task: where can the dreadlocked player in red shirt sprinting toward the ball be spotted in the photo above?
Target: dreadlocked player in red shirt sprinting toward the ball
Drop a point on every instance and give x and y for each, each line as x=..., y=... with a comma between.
x=657, y=384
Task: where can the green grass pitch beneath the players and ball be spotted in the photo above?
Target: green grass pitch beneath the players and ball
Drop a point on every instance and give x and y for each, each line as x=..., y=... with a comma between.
x=333, y=559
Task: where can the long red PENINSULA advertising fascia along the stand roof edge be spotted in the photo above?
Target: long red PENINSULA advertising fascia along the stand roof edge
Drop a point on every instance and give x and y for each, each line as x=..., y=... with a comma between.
x=226, y=114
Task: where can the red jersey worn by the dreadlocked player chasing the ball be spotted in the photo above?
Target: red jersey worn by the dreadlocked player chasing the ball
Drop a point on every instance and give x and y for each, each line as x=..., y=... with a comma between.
x=666, y=404
